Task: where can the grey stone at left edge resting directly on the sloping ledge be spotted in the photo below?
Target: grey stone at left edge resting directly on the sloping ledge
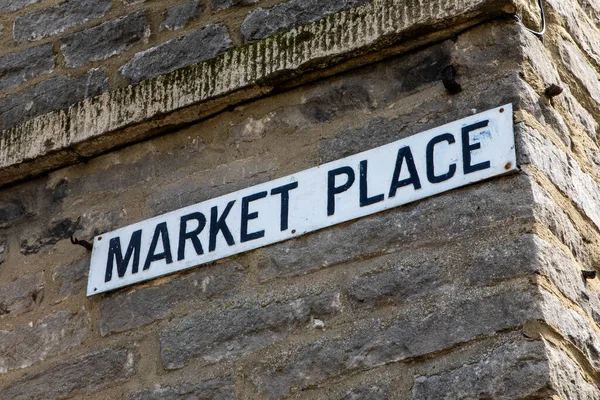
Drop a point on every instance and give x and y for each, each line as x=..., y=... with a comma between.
x=51, y=95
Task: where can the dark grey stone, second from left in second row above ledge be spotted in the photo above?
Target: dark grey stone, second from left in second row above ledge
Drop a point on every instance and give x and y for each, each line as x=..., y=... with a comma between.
x=105, y=40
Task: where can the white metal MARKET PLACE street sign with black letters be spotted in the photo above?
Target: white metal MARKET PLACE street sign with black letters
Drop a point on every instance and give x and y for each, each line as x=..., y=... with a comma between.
x=454, y=155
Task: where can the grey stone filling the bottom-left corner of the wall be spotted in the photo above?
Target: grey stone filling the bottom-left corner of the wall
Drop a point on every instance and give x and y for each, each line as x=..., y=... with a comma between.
x=81, y=376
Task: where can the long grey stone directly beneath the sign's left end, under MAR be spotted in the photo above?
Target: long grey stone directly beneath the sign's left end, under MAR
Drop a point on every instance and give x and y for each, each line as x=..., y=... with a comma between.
x=128, y=310
